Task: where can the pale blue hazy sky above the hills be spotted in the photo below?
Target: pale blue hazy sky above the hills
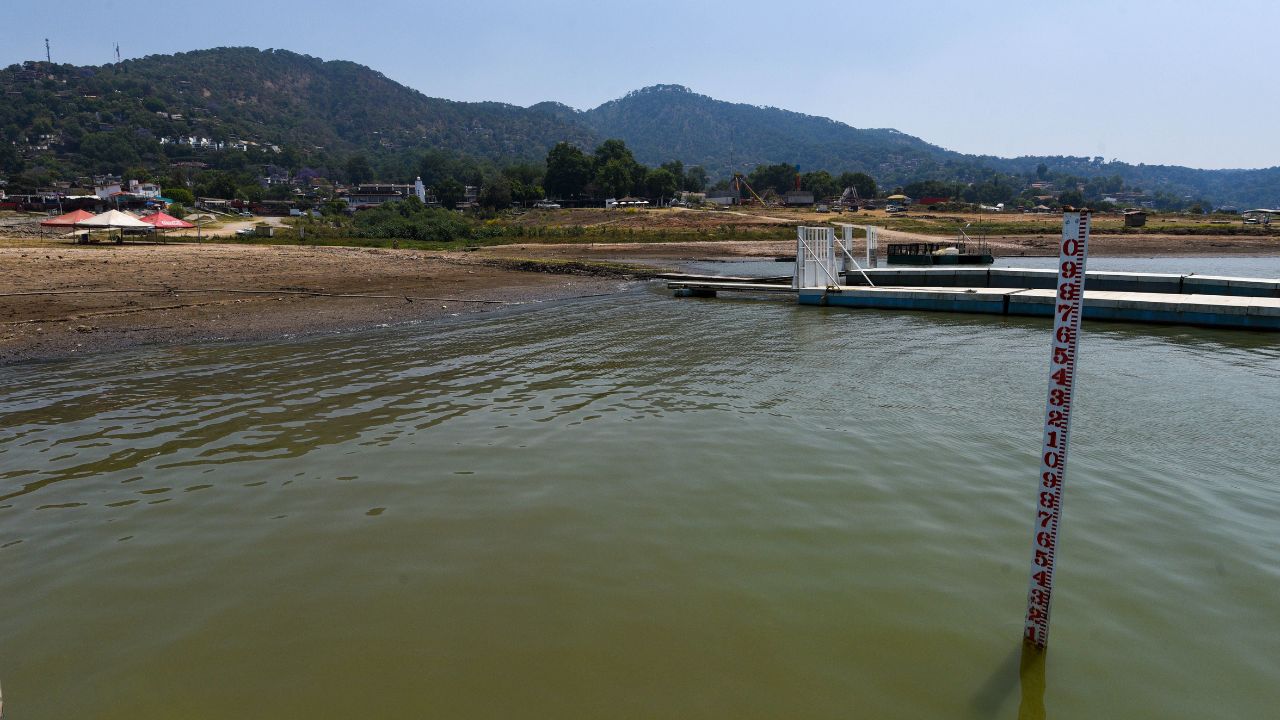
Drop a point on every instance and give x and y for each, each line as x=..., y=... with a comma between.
x=1156, y=83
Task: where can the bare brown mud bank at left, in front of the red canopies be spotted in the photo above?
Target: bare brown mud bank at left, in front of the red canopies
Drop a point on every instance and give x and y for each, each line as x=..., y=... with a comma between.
x=148, y=294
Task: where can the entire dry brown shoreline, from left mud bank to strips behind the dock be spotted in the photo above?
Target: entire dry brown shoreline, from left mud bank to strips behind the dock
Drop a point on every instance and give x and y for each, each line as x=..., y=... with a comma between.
x=166, y=289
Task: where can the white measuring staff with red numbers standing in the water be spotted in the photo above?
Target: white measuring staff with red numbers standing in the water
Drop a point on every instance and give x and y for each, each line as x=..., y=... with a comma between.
x=1068, y=309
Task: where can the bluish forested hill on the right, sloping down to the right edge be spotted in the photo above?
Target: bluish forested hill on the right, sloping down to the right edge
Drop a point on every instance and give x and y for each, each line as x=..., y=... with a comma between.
x=671, y=122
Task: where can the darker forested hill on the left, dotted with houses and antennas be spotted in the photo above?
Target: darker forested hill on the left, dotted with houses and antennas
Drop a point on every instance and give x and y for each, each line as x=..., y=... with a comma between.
x=106, y=117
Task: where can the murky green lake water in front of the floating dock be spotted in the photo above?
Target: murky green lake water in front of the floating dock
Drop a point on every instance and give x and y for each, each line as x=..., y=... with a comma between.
x=639, y=507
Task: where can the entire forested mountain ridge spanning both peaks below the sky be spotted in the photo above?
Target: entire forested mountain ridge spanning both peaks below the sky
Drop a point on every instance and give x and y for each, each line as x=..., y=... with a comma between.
x=147, y=112
